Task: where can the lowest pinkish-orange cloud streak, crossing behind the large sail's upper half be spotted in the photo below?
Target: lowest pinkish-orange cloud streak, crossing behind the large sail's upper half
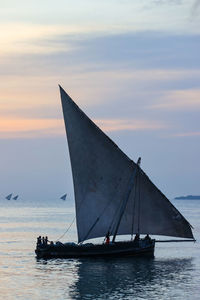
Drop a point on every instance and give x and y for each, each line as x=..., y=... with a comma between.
x=31, y=128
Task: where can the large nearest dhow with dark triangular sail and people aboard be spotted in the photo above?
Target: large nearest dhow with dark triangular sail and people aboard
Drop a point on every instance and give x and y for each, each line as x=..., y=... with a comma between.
x=113, y=197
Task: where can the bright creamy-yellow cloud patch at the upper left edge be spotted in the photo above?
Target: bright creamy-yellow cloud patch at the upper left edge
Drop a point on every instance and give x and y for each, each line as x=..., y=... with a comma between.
x=19, y=38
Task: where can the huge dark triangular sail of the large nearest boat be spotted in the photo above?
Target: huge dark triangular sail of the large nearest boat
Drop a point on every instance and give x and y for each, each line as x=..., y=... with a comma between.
x=102, y=174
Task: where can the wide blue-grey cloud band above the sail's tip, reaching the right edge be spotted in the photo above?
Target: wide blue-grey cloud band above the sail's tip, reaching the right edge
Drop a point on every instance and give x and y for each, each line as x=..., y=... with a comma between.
x=133, y=50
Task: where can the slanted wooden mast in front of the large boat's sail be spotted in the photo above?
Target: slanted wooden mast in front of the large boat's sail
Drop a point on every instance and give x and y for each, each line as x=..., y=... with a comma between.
x=127, y=197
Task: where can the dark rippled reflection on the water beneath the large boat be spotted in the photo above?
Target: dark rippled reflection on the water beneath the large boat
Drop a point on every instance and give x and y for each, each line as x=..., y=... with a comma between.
x=122, y=278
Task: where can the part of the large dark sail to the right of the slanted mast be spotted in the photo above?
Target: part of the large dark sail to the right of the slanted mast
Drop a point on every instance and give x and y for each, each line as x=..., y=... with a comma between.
x=153, y=212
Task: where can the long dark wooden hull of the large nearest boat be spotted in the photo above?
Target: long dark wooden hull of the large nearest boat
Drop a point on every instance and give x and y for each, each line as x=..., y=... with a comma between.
x=119, y=249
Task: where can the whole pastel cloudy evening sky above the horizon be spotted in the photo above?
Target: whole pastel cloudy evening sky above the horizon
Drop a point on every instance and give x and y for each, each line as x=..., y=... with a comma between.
x=132, y=66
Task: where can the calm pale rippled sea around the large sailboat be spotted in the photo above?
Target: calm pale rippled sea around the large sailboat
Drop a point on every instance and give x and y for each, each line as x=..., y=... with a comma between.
x=174, y=272
